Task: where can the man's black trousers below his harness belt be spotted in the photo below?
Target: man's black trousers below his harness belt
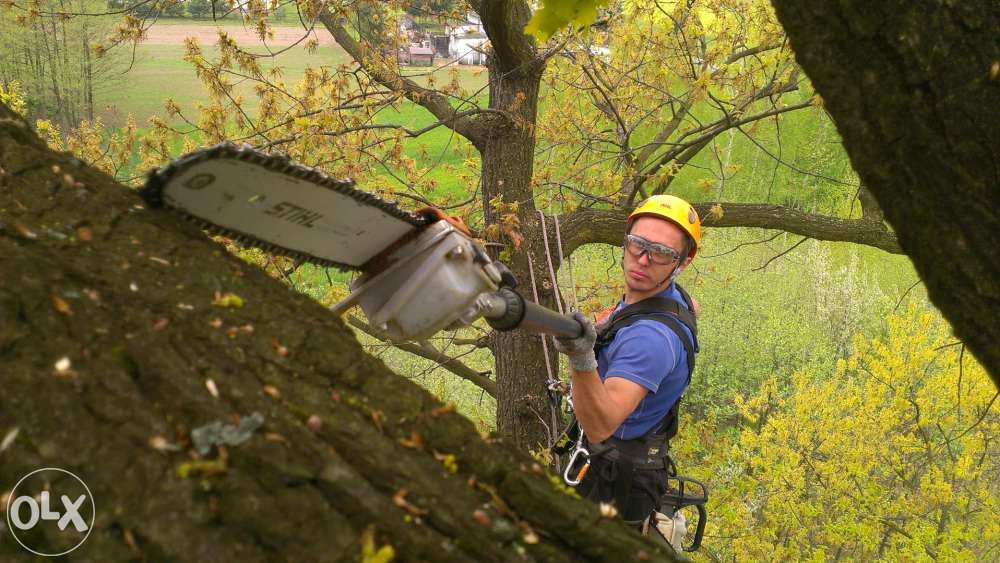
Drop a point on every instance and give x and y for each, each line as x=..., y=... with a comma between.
x=648, y=485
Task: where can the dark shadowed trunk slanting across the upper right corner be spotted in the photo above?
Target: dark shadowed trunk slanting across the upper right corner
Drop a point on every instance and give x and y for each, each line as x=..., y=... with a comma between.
x=914, y=88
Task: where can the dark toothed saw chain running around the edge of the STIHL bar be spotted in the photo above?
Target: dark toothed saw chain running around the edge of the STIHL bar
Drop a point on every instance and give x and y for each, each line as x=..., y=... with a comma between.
x=157, y=179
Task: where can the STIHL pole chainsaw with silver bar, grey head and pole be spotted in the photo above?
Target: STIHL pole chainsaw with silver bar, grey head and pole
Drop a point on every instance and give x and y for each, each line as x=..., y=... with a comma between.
x=421, y=272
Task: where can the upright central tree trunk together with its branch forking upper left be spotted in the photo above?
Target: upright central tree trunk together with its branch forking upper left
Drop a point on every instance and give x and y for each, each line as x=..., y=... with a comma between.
x=505, y=140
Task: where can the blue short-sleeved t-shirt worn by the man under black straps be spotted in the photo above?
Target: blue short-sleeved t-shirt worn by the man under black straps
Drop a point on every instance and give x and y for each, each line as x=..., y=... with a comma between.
x=651, y=355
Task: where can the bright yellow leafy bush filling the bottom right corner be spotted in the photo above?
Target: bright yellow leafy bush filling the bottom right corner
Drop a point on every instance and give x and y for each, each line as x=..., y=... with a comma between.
x=892, y=457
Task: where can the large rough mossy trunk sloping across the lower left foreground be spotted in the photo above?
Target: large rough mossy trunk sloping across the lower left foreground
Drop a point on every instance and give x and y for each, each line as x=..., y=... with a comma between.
x=126, y=294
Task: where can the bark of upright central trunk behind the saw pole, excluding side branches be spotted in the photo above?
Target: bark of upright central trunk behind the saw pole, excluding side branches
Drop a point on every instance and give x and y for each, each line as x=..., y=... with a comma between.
x=507, y=149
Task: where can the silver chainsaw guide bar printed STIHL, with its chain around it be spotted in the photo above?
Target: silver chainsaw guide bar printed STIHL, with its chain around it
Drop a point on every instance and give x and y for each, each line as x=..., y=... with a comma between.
x=236, y=190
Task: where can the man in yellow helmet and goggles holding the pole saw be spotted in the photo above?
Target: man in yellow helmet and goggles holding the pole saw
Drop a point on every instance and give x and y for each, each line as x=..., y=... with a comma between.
x=627, y=388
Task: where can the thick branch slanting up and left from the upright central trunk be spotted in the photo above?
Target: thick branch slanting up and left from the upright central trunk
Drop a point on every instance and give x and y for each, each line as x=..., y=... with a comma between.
x=432, y=100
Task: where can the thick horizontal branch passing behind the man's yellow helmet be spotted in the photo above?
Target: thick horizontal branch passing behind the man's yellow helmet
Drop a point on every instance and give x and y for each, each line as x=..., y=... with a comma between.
x=586, y=225
